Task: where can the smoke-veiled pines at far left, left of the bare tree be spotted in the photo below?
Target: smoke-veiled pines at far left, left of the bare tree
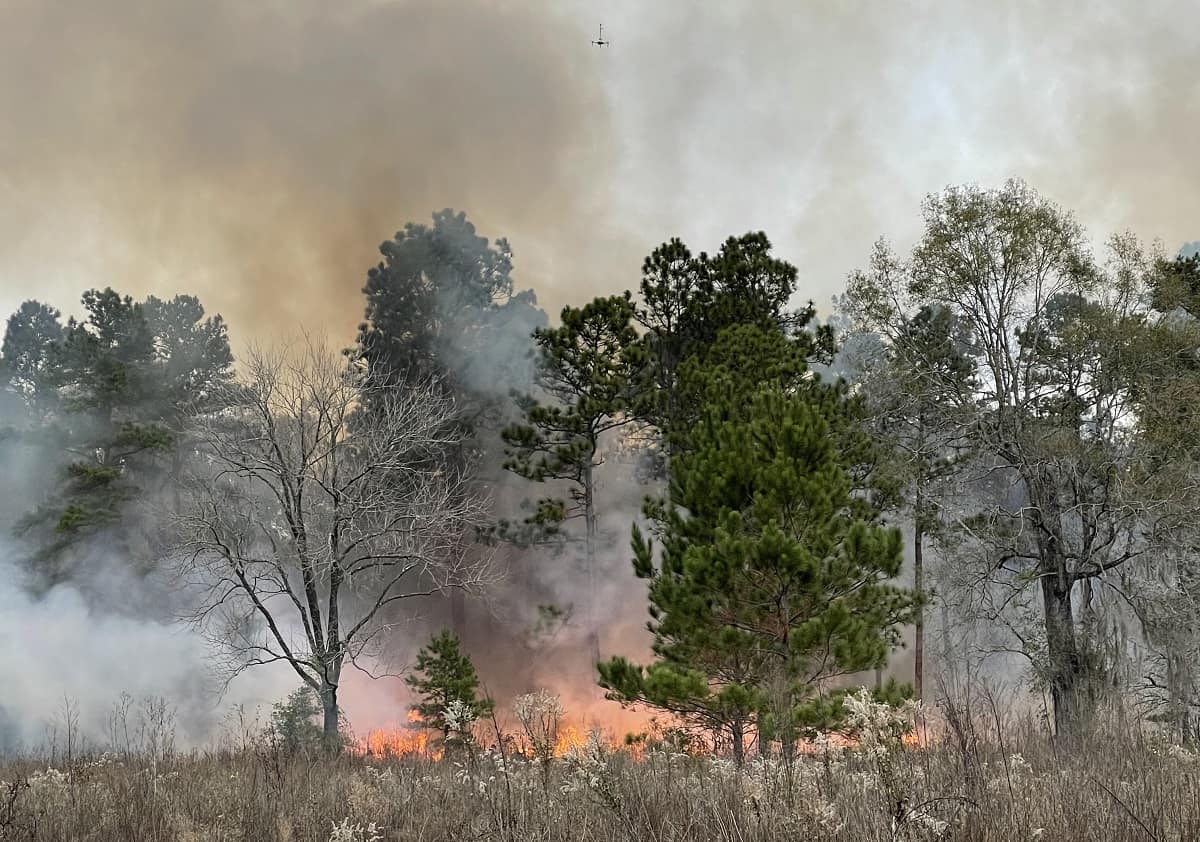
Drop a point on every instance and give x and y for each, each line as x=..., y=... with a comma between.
x=106, y=396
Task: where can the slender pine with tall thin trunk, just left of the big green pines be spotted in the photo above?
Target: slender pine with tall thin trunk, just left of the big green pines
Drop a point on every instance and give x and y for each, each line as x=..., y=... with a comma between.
x=584, y=377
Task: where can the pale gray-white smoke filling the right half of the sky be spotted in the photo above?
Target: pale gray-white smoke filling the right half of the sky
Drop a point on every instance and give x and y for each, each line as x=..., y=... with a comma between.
x=826, y=123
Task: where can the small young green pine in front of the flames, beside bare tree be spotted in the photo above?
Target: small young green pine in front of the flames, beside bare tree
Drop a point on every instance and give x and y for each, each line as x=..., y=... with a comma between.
x=446, y=676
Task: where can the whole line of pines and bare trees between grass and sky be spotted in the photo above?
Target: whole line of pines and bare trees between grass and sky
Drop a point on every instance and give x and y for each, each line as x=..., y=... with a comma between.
x=1017, y=410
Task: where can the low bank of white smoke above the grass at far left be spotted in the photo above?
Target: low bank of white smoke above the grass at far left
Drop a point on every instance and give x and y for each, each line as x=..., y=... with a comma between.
x=77, y=646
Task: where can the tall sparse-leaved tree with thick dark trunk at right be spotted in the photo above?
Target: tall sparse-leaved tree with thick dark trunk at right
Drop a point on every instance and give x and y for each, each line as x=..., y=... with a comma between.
x=1078, y=420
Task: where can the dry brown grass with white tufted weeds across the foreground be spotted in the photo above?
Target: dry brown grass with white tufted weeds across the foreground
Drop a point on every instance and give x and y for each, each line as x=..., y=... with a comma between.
x=1118, y=785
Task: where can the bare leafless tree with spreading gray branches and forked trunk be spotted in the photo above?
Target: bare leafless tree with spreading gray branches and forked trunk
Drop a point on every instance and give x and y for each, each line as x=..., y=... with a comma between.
x=303, y=536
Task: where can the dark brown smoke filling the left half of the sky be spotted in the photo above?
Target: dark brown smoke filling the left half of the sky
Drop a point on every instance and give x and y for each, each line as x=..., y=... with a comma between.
x=259, y=153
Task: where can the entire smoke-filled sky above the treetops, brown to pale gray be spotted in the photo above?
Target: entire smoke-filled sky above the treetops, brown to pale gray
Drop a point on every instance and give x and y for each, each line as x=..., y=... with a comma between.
x=257, y=153
